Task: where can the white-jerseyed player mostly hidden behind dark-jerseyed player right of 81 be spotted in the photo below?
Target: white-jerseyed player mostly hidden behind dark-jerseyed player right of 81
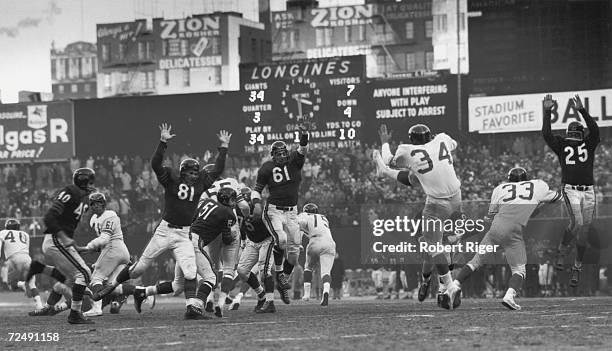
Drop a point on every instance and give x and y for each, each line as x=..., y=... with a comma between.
x=225, y=257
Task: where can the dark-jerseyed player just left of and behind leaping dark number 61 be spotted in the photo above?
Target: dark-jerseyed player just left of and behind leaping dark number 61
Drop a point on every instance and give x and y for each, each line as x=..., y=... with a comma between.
x=259, y=245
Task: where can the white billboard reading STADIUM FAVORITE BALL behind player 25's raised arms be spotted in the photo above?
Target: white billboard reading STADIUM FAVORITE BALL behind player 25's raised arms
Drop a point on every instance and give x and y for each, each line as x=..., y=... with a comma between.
x=518, y=113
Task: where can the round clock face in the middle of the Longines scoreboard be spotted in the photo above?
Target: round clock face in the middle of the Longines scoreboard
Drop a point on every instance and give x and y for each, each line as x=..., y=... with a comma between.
x=300, y=98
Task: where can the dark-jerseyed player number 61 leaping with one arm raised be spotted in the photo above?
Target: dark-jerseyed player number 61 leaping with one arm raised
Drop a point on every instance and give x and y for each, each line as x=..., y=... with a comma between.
x=282, y=175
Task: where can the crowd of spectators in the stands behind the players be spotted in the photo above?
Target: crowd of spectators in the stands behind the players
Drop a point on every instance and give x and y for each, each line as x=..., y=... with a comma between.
x=339, y=180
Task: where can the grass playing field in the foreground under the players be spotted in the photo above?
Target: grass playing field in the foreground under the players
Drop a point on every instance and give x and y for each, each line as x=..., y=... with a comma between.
x=353, y=324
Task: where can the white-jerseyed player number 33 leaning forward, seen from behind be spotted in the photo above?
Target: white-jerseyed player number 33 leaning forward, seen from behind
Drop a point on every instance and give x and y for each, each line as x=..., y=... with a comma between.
x=512, y=204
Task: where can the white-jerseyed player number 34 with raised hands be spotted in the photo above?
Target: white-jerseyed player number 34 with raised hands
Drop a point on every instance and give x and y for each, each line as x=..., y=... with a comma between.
x=429, y=161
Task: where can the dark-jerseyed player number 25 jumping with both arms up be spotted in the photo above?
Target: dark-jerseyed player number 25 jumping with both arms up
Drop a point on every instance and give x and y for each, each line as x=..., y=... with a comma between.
x=576, y=153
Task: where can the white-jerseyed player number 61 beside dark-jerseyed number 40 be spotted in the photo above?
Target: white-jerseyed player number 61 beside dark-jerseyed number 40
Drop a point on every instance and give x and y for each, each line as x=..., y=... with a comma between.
x=114, y=255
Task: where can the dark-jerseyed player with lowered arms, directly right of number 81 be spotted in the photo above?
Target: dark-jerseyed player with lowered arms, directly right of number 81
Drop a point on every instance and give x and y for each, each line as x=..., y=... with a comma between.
x=213, y=218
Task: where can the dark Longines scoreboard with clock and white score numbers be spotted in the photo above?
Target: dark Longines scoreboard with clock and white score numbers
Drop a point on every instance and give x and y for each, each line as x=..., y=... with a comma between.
x=278, y=98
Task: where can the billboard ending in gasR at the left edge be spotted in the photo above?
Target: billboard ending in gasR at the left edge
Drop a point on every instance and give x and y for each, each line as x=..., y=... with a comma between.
x=36, y=132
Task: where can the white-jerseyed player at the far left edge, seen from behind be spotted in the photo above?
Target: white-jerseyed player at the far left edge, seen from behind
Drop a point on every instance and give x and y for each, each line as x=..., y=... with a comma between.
x=15, y=248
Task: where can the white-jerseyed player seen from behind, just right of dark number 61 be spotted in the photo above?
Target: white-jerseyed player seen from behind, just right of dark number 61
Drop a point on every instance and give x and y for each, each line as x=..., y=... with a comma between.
x=321, y=248
